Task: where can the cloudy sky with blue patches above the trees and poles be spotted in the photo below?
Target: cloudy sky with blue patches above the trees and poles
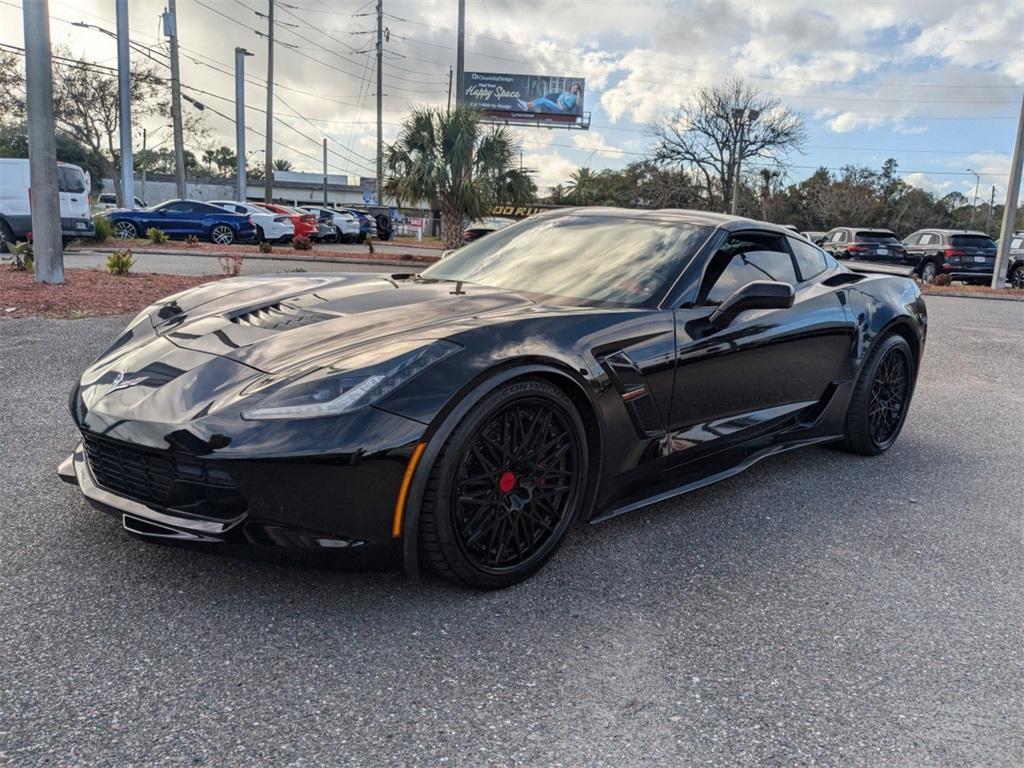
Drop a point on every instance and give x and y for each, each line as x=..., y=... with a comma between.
x=934, y=83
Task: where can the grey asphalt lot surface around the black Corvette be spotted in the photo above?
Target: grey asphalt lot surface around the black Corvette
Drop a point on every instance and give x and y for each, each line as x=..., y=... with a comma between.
x=819, y=610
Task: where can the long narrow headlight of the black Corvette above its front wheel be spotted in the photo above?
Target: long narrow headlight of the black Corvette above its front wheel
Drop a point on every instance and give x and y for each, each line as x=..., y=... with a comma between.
x=330, y=393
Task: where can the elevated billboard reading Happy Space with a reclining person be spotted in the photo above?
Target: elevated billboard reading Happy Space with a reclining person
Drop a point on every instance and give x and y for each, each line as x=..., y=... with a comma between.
x=525, y=98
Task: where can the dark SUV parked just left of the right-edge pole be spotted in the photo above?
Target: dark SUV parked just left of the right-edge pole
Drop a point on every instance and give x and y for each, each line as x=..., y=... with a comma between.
x=964, y=255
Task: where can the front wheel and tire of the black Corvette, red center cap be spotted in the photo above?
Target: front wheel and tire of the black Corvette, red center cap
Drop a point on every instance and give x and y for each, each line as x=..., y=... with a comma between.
x=506, y=487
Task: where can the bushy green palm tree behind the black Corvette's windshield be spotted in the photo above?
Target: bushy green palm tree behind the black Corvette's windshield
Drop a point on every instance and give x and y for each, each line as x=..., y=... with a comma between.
x=449, y=159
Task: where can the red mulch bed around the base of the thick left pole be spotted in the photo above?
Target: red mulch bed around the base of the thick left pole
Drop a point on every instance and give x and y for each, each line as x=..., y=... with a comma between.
x=88, y=293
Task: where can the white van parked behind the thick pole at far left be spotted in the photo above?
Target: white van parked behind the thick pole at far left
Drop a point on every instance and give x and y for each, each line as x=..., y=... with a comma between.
x=16, y=210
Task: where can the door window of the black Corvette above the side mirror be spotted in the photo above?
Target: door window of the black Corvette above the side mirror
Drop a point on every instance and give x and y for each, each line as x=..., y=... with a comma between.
x=745, y=259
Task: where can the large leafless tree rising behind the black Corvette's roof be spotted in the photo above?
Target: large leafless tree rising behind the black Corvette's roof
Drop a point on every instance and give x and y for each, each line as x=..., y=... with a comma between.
x=721, y=129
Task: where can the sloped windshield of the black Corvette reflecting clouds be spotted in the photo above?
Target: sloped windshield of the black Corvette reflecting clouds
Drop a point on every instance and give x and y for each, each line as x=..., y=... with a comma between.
x=611, y=260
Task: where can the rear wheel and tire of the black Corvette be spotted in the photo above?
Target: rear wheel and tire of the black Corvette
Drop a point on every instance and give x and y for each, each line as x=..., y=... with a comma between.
x=881, y=398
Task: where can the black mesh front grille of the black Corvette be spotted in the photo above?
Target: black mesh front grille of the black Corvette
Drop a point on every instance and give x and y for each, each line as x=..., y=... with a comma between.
x=163, y=480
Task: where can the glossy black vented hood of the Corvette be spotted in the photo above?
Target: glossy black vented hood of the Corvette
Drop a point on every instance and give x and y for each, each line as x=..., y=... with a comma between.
x=277, y=324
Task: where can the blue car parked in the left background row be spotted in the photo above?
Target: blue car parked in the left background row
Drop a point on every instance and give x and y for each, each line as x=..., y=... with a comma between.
x=181, y=219
